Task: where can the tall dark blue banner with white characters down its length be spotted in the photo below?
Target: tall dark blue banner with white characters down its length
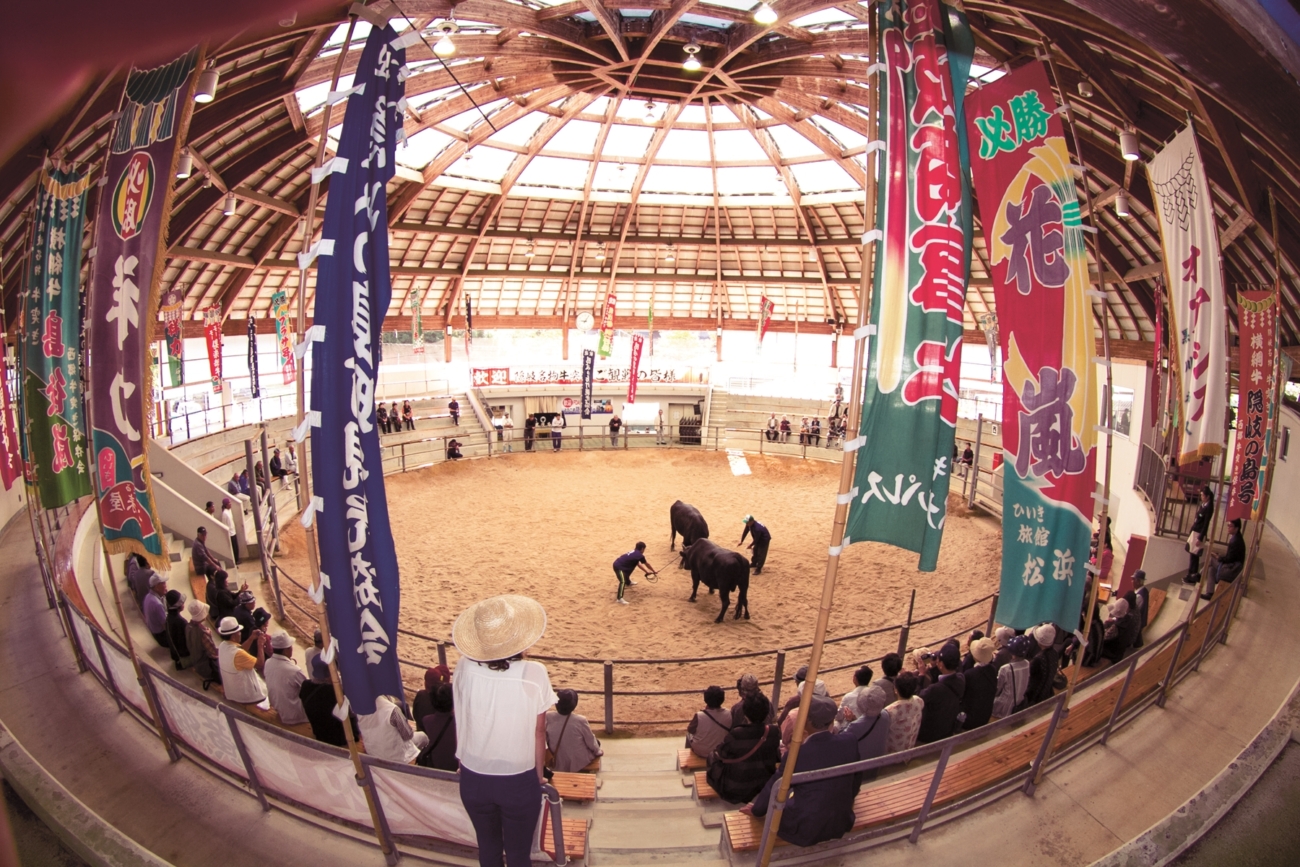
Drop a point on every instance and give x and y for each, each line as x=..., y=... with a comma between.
x=359, y=565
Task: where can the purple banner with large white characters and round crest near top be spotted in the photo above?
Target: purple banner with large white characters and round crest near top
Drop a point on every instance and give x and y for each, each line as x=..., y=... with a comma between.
x=123, y=301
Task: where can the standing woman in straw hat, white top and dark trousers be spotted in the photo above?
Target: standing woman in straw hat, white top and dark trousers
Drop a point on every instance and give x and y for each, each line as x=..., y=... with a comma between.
x=501, y=704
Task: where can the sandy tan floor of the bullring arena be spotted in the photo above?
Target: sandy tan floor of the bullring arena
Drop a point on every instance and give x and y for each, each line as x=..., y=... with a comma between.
x=551, y=526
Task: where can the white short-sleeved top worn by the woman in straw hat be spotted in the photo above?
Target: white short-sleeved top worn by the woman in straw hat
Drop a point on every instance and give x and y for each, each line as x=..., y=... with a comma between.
x=497, y=716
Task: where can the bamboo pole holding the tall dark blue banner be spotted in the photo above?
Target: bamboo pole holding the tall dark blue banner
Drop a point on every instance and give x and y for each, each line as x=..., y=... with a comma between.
x=305, y=488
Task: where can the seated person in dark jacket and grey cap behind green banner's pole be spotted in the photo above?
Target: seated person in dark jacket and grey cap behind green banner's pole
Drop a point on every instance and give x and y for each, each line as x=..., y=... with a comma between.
x=822, y=810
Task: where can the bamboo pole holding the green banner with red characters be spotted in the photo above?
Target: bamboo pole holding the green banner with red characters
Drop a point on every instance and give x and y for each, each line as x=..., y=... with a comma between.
x=848, y=465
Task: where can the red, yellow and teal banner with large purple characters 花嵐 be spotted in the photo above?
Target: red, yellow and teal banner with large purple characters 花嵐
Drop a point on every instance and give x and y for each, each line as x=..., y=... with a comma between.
x=1034, y=236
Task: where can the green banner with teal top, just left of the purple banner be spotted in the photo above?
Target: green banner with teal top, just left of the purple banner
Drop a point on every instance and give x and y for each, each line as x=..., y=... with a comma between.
x=51, y=341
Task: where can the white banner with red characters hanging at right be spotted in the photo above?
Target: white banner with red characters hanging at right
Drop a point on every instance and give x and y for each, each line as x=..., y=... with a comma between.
x=1197, y=304
